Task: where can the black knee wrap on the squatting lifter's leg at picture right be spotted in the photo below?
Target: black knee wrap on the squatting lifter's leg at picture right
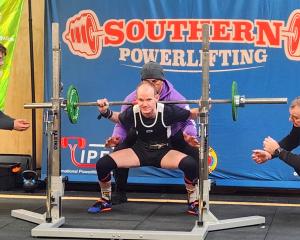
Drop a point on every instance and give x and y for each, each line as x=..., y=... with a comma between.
x=190, y=168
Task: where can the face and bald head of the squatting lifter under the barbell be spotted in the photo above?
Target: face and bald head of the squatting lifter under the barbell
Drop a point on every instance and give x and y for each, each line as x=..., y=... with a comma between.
x=147, y=99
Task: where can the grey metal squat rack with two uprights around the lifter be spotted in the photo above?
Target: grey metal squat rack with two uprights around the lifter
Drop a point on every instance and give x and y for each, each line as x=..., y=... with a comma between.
x=49, y=223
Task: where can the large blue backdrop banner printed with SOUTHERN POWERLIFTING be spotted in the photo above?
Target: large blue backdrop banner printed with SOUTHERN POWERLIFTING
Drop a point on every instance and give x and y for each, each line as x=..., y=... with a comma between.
x=255, y=43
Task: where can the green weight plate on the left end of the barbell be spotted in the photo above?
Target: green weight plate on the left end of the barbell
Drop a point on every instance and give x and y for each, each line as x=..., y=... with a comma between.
x=72, y=108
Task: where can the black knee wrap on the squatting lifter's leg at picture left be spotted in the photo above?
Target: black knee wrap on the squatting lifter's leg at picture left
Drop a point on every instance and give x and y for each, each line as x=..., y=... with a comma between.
x=104, y=166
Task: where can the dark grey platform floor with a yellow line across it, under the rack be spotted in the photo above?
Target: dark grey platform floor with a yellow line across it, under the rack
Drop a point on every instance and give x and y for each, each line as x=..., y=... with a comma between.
x=161, y=211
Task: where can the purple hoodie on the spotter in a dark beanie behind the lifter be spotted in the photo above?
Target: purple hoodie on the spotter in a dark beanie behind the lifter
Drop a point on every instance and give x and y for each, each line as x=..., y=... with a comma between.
x=168, y=93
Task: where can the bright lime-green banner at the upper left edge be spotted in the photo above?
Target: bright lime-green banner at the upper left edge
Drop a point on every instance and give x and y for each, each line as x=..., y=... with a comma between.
x=10, y=15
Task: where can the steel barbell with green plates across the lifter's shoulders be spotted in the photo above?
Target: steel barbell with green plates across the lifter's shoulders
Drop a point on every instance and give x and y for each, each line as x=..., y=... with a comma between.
x=71, y=104
